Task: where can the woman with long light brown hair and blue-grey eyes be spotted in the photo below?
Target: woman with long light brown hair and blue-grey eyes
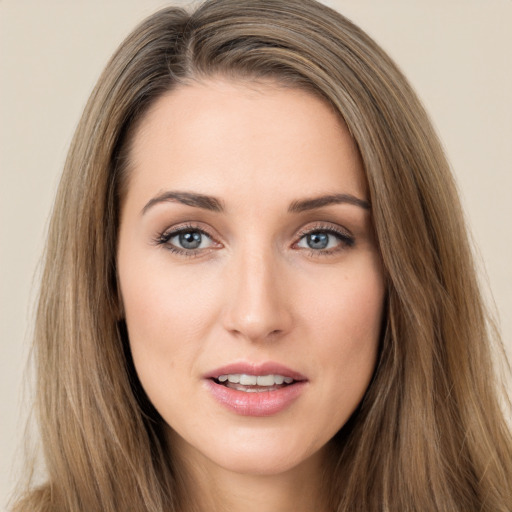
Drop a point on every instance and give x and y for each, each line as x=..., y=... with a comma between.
x=258, y=288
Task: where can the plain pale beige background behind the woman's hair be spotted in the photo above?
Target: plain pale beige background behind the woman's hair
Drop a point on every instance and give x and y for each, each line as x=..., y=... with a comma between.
x=457, y=54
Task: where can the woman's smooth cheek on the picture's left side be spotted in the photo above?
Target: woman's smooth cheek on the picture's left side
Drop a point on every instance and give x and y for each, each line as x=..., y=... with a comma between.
x=165, y=317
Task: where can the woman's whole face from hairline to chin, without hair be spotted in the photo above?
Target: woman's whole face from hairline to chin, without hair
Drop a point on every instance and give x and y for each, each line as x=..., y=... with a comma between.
x=251, y=282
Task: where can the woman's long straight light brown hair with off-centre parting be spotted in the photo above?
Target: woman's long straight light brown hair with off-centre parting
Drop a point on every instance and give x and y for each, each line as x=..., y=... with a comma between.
x=430, y=433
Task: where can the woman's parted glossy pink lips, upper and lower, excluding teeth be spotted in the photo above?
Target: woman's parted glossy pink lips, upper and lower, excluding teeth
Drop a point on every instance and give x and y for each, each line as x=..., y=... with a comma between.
x=264, y=403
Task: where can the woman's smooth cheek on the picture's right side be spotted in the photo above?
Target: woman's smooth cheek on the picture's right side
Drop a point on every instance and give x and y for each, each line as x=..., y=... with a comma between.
x=345, y=325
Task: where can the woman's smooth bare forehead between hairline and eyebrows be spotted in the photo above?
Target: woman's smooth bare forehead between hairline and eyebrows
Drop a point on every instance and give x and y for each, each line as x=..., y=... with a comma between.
x=229, y=138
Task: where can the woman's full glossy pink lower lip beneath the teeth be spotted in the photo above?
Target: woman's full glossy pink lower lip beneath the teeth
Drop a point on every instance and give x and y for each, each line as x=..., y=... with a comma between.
x=262, y=403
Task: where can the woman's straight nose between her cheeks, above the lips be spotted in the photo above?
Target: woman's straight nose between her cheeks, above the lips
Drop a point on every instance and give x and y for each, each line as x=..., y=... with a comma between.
x=259, y=303
